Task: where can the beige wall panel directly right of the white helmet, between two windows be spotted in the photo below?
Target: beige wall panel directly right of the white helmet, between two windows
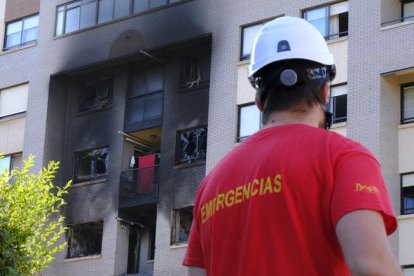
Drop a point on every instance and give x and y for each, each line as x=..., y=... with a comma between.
x=339, y=49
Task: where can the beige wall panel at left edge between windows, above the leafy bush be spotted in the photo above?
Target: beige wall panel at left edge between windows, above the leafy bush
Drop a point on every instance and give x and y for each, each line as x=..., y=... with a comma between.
x=12, y=135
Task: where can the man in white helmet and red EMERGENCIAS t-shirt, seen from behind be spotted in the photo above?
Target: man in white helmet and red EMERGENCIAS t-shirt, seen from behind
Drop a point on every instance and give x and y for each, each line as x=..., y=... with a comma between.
x=293, y=199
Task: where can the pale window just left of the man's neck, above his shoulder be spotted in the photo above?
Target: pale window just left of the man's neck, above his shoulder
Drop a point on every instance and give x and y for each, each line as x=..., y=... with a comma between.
x=249, y=121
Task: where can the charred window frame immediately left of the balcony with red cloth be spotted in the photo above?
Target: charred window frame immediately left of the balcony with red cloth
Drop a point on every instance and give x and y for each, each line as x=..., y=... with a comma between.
x=92, y=176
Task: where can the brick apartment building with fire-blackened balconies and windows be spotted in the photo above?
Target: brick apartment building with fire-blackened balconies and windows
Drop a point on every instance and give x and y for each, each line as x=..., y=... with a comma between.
x=138, y=100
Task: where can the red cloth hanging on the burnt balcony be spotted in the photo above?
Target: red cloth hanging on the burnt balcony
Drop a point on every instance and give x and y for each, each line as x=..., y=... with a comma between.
x=146, y=173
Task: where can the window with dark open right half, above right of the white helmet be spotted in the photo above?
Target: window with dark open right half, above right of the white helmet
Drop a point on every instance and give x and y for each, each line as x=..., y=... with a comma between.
x=331, y=21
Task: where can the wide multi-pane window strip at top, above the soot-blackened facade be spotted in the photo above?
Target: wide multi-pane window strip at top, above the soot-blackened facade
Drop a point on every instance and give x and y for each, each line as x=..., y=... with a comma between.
x=78, y=15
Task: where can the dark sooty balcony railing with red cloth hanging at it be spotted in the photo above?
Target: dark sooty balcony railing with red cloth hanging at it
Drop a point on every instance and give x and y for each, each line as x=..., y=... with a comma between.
x=139, y=187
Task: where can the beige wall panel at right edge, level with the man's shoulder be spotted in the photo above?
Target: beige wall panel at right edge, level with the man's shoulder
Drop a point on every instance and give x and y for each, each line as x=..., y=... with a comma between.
x=406, y=148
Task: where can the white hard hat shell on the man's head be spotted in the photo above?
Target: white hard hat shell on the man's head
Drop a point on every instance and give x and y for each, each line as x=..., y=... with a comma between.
x=287, y=38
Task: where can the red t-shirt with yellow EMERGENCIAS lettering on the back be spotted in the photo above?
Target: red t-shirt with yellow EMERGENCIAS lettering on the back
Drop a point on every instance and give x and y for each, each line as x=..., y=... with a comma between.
x=271, y=205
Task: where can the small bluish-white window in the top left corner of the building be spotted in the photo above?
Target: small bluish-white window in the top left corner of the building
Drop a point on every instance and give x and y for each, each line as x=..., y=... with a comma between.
x=21, y=32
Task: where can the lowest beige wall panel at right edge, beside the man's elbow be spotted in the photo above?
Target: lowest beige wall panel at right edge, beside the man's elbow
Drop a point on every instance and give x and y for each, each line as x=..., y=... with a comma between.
x=406, y=241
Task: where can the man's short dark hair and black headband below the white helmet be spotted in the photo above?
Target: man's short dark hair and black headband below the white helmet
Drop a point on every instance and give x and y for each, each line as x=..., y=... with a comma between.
x=274, y=96
